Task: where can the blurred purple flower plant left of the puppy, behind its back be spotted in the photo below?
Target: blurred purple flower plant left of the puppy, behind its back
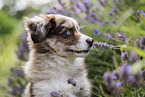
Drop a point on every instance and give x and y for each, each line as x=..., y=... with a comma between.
x=17, y=80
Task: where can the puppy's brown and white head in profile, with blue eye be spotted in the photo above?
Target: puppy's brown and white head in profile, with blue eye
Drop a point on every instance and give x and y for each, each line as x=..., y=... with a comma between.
x=57, y=34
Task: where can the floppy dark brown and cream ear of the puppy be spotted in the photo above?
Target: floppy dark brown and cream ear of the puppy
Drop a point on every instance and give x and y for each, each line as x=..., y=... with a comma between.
x=41, y=29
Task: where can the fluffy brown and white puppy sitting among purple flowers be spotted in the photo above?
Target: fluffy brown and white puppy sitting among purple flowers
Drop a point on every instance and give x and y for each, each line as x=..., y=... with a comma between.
x=56, y=50
